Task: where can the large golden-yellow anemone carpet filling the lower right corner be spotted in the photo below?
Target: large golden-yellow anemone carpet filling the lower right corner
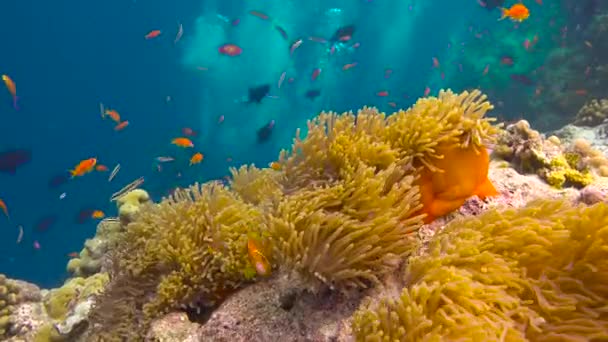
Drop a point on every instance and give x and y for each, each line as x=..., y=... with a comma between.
x=535, y=273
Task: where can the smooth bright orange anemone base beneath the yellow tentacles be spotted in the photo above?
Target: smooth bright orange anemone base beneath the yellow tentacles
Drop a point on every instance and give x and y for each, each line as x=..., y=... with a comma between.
x=465, y=174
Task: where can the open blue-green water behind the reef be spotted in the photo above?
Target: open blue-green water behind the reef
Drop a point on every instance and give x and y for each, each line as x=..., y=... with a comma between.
x=68, y=57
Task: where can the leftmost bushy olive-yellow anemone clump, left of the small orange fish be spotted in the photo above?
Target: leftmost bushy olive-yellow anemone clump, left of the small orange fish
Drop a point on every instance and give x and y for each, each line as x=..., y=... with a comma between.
x=196, y=240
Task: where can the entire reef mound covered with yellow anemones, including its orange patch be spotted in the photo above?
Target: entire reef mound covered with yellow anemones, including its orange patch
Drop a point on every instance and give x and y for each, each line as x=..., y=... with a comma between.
x=336, y=220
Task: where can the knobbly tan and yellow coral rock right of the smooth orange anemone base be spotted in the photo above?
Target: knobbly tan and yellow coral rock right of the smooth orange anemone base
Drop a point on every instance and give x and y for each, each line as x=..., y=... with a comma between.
x=560, y=165
